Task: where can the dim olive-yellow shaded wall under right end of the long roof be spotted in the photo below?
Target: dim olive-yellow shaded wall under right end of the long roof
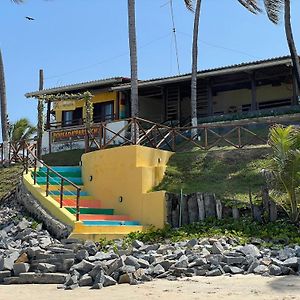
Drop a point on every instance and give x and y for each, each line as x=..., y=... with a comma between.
x=237, y=98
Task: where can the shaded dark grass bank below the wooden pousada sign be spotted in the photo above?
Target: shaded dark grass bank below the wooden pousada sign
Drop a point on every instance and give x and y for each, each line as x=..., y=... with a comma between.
x=64, y=158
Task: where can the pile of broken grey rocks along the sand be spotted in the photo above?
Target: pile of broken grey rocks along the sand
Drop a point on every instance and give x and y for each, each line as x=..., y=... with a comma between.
x=32, y=256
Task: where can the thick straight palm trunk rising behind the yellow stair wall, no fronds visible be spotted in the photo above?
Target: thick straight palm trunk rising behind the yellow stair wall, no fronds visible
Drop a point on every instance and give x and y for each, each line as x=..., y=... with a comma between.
x=133, y=67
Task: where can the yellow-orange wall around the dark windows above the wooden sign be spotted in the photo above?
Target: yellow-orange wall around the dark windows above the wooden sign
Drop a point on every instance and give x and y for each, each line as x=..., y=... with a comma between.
x=99, y=97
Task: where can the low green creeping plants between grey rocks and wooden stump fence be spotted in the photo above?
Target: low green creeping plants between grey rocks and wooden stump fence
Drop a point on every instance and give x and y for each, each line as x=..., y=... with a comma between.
x=276, y=234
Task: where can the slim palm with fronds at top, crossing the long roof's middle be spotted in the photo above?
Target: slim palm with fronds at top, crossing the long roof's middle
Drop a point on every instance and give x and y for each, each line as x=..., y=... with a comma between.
x=250, y=5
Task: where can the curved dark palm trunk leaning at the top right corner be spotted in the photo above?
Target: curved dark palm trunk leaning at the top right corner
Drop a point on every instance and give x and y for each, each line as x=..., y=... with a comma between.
x=290, y=40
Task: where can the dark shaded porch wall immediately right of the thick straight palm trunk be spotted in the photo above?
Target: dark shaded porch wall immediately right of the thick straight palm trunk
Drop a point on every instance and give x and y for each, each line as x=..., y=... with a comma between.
x=151, y=109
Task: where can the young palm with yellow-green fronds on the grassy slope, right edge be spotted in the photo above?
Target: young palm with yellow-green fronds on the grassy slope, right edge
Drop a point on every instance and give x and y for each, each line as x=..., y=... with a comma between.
x=285, y=167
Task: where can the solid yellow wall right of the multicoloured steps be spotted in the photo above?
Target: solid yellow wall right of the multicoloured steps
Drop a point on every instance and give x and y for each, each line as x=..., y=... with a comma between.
x=130, y=172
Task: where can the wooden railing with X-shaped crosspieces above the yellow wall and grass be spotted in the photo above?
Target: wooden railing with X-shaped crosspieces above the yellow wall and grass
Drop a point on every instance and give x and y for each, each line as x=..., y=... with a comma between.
x=138, y=131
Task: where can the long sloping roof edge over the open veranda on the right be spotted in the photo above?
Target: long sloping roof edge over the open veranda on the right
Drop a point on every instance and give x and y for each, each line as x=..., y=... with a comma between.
x=243, y=67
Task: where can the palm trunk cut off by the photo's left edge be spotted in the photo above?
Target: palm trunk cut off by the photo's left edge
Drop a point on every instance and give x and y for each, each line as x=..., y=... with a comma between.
x=3, y=102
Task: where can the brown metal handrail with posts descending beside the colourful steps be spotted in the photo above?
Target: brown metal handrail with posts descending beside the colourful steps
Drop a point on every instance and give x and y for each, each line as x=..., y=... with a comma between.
x=62, y=179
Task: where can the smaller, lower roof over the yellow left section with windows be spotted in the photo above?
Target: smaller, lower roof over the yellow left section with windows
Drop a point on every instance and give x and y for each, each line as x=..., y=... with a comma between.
x=79, y=86
